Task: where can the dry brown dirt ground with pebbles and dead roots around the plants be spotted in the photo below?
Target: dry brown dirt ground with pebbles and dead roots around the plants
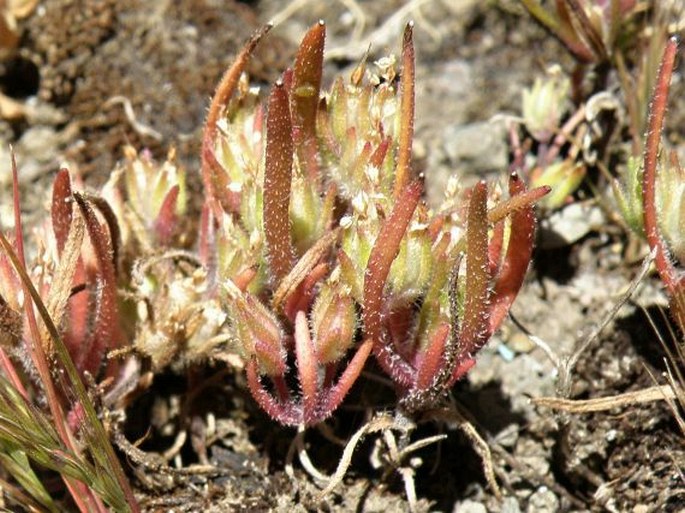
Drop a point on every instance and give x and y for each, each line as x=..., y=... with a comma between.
x=80, y=62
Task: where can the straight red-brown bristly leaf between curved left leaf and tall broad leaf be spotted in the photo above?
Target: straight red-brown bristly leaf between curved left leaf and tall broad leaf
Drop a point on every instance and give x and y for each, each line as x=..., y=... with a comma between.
x=277, y=184
